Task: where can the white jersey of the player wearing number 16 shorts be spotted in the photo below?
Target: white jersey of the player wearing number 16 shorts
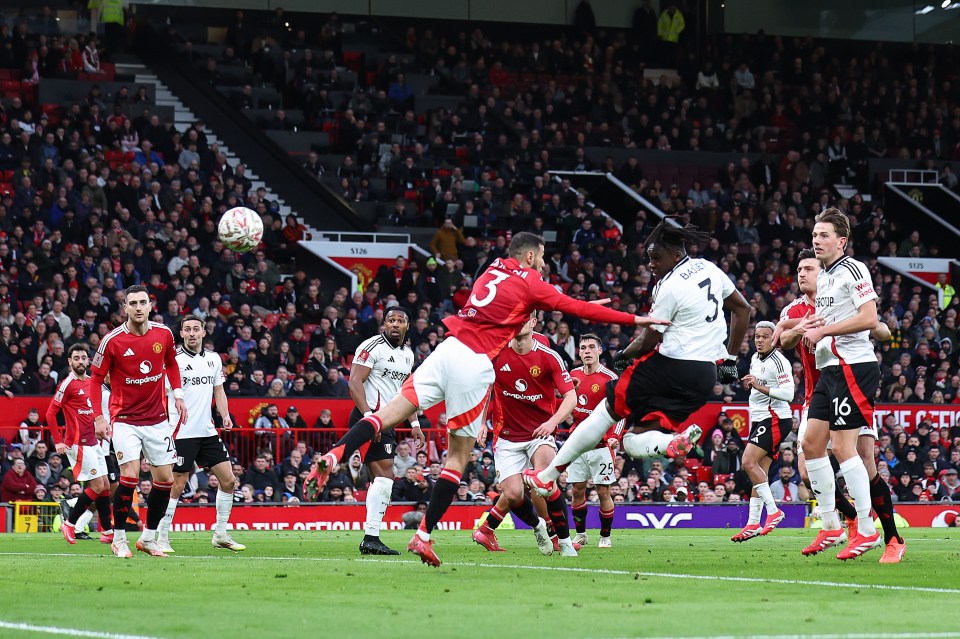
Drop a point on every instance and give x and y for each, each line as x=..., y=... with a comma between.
x=841, y=290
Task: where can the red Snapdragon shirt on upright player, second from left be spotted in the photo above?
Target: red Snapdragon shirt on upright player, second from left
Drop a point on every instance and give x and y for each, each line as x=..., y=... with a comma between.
x=136, y=366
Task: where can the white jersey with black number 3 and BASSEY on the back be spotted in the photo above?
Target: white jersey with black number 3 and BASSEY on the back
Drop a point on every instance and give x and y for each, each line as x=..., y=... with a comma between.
x=691, y=297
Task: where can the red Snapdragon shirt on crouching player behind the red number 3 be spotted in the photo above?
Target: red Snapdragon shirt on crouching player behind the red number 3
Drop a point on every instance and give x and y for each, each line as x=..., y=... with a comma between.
x=525, y=391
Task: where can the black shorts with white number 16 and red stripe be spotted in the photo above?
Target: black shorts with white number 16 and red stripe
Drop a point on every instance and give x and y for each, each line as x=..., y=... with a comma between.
x=845, y=395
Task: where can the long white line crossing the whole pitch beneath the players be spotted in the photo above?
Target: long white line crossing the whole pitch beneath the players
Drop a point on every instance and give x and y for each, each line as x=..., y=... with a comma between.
x=574, y=569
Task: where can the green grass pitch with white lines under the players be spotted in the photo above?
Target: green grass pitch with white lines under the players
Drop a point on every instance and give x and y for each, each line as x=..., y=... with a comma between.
x=677, y=583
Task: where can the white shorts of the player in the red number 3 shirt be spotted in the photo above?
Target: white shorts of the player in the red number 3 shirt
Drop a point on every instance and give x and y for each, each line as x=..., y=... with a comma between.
x=461, y=378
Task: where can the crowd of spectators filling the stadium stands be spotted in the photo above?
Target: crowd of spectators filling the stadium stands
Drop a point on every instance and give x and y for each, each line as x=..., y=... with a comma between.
x=78, y=226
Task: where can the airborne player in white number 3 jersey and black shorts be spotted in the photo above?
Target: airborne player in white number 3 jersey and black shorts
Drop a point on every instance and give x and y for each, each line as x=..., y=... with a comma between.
x=677, y=360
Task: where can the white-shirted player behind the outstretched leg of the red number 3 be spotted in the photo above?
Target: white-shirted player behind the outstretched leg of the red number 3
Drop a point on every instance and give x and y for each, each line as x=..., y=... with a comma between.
x=380, y=366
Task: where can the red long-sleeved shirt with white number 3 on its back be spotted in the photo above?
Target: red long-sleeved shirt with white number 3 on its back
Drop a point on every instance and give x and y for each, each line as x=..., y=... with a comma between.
x=502, y=300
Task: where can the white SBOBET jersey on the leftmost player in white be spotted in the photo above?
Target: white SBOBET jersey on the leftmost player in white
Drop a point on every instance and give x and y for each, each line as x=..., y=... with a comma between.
x=199, y=374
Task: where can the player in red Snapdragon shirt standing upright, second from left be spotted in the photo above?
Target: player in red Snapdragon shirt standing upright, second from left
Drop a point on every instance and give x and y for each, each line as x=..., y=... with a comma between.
x=138, y=357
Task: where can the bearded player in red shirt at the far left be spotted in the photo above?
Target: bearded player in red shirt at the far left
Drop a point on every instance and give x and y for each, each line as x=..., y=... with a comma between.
x=81, y=443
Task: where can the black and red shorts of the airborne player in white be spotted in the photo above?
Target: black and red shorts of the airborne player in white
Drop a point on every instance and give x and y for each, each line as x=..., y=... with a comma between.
x=661, y=387
